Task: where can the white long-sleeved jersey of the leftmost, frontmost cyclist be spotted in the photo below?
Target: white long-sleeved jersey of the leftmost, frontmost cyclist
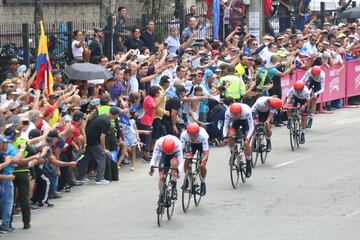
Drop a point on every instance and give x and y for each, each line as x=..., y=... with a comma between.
x=177, y=151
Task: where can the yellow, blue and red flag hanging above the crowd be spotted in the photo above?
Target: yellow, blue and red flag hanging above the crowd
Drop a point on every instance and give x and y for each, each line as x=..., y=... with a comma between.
x=44, y=77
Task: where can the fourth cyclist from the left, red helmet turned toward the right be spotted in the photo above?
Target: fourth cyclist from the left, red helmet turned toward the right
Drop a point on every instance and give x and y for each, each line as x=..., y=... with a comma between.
x=263, y=110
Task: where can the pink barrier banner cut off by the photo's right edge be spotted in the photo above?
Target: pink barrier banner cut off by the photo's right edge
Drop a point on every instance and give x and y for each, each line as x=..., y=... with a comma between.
x=353, y=78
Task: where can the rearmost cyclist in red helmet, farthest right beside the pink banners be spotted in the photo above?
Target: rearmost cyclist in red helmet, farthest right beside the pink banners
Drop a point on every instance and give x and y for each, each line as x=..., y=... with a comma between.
x=314, y=79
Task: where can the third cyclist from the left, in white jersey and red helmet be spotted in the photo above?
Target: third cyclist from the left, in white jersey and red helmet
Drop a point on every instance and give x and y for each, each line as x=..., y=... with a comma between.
x=239, y=114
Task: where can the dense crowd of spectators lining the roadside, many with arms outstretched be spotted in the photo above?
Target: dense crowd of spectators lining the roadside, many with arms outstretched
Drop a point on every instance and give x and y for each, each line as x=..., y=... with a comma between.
x=85, y=131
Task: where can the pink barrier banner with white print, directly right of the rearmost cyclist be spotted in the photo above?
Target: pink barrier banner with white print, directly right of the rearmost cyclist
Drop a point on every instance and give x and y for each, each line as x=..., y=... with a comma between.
x=334, y=83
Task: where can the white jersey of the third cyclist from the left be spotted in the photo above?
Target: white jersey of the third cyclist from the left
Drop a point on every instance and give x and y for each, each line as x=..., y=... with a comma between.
x=246, y=114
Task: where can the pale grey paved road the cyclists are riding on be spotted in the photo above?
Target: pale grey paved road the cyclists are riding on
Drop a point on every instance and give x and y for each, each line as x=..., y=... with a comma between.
x=313, y=193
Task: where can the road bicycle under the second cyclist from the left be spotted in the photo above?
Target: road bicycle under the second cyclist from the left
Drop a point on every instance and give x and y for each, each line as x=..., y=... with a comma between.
x=191, y=184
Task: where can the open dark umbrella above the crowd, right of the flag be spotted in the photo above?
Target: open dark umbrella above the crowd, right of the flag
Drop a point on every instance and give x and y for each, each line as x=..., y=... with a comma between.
x=87, y=71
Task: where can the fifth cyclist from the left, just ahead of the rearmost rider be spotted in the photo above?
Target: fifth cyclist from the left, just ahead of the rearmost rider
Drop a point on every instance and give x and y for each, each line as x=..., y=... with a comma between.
x=299, y=94
